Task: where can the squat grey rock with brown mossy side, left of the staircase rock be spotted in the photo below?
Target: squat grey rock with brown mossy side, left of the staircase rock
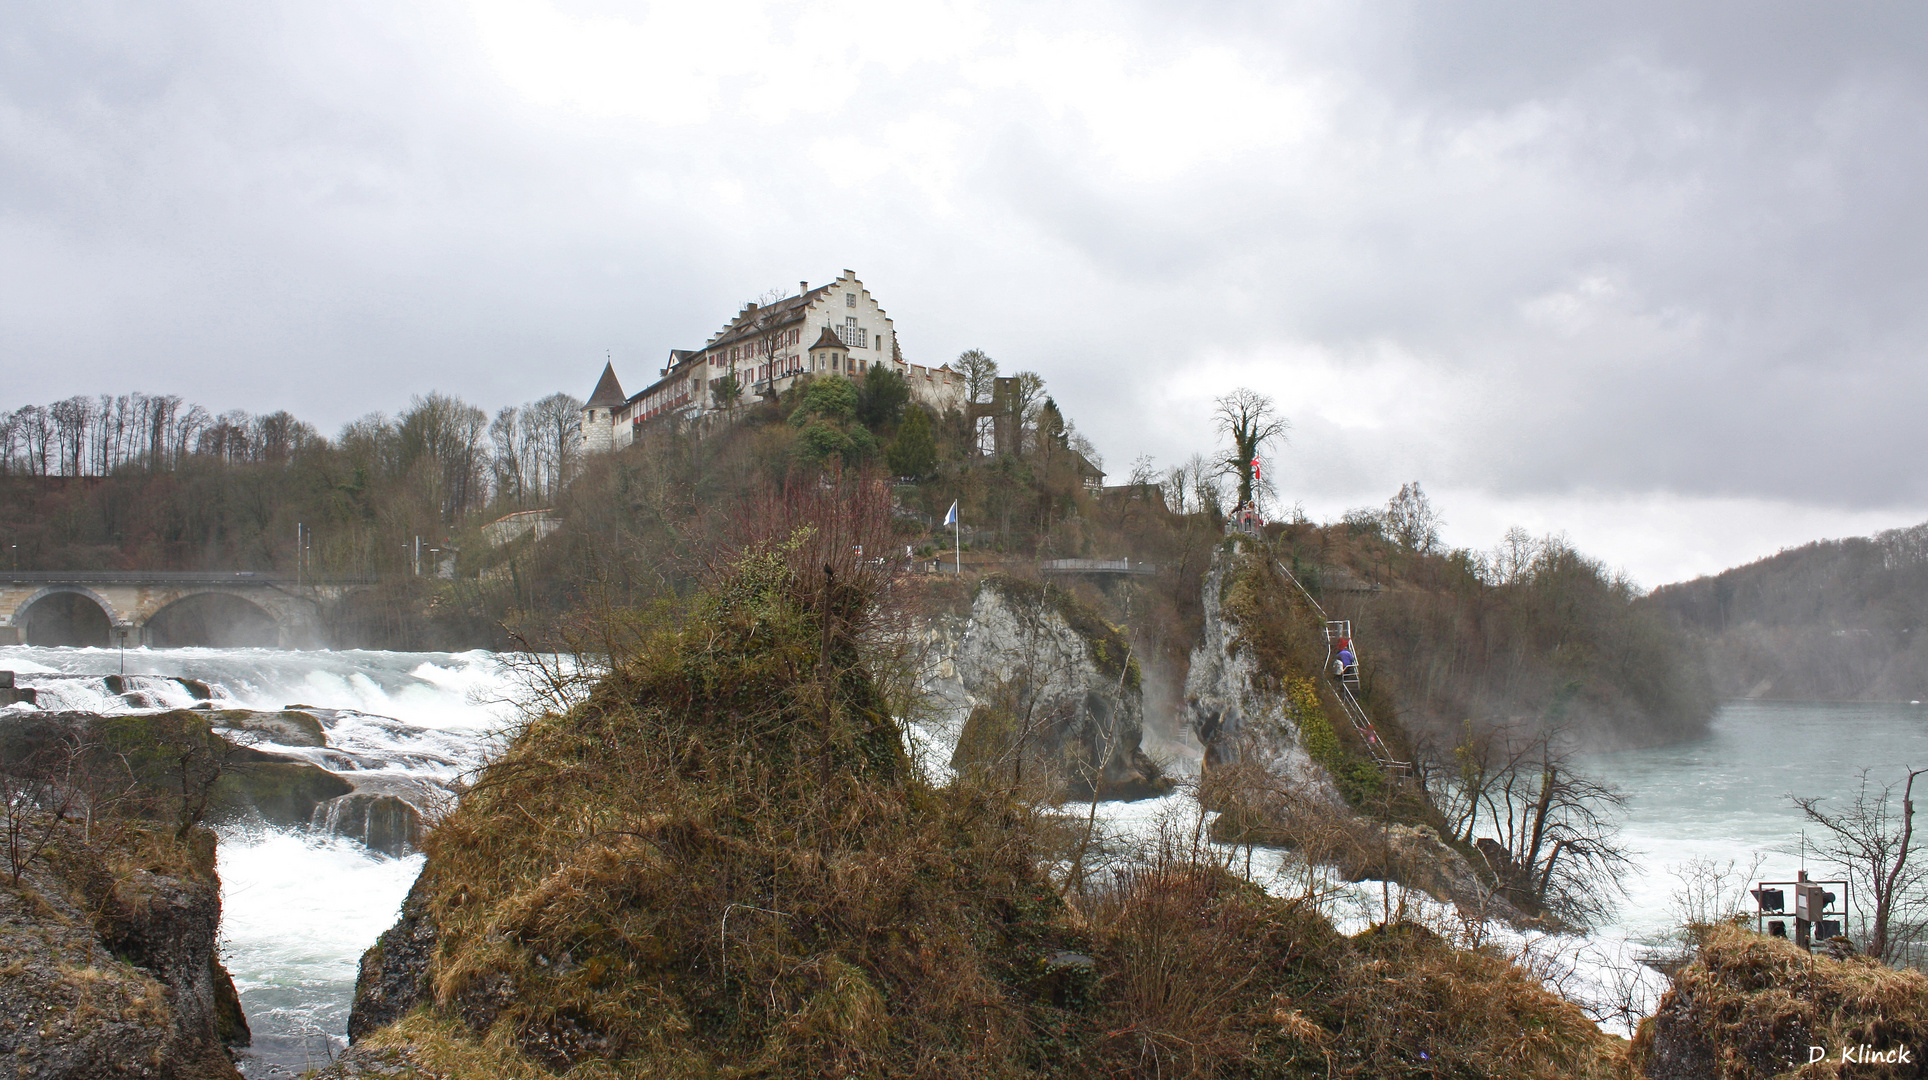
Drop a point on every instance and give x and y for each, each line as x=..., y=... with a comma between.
x=1036, y=682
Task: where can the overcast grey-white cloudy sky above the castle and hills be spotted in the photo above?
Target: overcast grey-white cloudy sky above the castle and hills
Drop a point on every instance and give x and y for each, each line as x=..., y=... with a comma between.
x=1649, y=275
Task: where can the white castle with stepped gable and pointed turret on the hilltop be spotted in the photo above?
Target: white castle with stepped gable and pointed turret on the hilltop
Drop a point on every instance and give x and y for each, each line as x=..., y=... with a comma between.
x=836, y=331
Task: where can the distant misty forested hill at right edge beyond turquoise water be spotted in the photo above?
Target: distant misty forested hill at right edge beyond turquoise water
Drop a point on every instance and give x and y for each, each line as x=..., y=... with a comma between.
x=1836, y=620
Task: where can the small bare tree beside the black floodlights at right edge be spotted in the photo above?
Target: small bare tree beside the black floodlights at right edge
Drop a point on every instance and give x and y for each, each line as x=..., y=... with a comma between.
x=1871, y=842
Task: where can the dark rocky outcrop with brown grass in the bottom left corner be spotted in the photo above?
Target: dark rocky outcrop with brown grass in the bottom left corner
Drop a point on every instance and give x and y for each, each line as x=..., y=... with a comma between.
x=109, y=961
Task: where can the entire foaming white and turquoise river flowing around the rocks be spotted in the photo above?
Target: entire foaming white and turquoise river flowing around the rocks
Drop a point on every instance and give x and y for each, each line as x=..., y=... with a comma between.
x=300, y=909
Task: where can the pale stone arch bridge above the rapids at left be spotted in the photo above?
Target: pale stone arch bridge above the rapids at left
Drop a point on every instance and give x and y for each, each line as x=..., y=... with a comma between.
x=165, y=608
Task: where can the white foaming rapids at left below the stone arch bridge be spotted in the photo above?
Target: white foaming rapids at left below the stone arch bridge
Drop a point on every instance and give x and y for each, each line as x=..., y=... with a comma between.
x=300, y=907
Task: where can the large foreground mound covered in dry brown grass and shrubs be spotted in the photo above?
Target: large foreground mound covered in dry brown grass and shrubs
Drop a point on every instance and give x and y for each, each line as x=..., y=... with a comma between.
x=726, y=865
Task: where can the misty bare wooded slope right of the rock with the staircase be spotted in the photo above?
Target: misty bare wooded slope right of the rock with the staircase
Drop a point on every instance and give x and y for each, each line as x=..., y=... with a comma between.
x=1532, y=637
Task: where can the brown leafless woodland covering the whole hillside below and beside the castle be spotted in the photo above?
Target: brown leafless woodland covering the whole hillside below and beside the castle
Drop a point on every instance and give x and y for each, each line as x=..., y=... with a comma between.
x=1528, y=637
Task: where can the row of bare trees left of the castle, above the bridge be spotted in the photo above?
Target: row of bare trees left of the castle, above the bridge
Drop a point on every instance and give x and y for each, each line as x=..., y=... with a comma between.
x=173, y=485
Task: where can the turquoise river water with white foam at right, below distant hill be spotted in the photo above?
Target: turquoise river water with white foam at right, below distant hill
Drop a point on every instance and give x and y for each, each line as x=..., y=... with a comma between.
x=1725, y=797
